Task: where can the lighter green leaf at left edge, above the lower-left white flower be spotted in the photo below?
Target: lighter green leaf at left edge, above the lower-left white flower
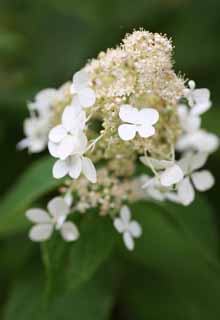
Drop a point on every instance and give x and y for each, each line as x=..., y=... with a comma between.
x=35, y=182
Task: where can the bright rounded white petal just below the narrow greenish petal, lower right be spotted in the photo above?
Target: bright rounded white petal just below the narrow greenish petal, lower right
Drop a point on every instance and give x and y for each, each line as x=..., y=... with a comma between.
x=171, y=176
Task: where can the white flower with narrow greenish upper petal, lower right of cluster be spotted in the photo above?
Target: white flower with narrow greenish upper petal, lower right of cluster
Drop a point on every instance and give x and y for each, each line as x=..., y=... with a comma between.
x=169, y=173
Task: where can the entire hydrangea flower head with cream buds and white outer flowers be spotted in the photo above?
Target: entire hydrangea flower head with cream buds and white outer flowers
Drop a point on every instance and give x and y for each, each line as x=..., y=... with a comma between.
x=125, y=109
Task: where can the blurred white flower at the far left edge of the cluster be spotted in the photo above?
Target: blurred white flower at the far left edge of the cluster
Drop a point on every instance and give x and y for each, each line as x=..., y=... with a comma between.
x=36, y=131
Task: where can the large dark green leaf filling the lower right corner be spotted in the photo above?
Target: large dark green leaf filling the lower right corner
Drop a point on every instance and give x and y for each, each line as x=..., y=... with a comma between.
x=174, y=272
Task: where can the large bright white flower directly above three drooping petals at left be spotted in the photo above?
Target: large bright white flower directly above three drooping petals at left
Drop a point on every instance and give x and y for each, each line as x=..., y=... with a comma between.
x=66, y=138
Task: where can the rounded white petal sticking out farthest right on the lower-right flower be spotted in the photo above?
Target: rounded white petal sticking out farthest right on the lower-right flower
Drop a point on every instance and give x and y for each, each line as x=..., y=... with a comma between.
x=203, y=180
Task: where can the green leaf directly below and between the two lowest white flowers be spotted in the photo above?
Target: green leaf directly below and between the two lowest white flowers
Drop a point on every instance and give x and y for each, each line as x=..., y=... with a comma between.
x=68, y=265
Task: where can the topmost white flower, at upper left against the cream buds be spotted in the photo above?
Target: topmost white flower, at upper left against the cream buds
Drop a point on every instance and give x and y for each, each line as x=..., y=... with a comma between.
x=82, y=93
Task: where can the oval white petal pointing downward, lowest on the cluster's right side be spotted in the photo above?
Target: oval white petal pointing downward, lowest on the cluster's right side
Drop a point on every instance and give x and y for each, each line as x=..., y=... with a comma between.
x=186, y=192
